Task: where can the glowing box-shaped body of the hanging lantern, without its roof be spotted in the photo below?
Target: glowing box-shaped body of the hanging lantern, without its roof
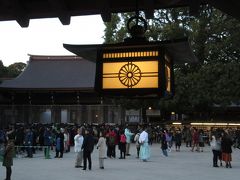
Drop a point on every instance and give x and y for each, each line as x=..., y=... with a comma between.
x=134, y=69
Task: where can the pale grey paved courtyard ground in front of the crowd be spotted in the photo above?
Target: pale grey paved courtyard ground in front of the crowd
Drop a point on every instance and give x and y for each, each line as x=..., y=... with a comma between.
x=184, y=165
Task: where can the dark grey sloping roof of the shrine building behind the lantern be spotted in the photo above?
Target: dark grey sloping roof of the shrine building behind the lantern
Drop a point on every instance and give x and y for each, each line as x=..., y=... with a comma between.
x=55, y=72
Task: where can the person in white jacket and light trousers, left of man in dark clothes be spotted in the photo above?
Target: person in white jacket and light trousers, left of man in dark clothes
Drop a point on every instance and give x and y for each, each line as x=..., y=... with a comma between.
x=78, y=141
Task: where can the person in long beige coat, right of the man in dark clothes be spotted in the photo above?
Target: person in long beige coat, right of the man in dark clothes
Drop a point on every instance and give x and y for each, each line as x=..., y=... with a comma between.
x=101, y=146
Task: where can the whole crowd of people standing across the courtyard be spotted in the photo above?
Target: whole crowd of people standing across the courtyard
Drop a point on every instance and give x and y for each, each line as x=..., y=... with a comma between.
x=107, y=138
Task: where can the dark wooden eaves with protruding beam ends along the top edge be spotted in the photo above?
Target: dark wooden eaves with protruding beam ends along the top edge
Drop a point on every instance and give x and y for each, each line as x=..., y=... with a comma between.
x=23, y=10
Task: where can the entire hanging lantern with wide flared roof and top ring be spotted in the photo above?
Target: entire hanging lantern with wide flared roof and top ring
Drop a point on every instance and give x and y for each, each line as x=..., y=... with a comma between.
x=135, y=67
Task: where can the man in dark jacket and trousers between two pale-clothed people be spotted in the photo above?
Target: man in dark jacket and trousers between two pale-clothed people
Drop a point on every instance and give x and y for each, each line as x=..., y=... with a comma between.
x=88, y=145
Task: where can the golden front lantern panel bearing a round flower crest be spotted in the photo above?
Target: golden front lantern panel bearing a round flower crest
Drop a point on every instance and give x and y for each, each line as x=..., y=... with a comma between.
x=137, y=74
